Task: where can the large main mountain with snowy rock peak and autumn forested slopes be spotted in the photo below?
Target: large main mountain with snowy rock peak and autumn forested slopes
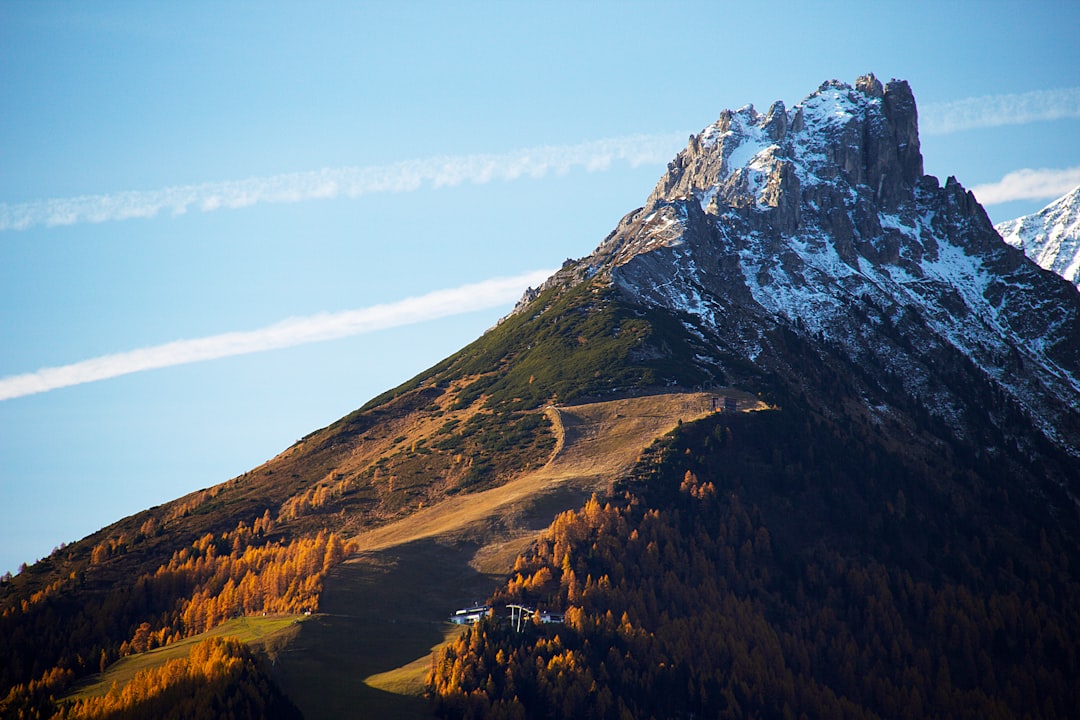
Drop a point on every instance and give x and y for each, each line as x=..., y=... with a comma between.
x=882, y=523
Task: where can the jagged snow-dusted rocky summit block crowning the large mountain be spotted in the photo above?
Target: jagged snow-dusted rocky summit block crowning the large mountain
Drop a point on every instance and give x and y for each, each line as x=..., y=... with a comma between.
x=865, y=137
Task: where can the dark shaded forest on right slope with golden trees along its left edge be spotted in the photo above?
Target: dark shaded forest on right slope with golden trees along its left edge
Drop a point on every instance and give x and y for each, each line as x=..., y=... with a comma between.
x=762, y=567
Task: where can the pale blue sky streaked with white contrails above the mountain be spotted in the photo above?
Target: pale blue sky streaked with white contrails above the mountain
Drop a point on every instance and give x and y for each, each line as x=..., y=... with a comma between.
x=188, y=172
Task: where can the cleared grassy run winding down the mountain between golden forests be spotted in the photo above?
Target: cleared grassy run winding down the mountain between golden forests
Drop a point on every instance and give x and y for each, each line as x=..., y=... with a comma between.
x=384, y=610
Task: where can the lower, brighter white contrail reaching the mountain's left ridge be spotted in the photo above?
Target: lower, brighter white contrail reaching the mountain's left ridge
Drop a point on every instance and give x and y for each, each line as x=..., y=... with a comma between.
x=290, y=333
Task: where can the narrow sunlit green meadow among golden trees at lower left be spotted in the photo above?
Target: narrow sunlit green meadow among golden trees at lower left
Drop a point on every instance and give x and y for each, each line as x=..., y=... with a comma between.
x=268, y=634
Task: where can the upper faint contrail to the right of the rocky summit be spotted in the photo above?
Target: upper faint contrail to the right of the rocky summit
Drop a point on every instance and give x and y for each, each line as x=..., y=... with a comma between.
x=995, y=111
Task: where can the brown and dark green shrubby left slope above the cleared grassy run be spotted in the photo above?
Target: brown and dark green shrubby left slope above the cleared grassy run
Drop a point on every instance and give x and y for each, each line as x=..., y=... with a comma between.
x=425, y=434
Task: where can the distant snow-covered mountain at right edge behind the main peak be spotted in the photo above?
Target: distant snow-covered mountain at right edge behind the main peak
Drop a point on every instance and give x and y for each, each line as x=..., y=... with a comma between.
x=1050, y=237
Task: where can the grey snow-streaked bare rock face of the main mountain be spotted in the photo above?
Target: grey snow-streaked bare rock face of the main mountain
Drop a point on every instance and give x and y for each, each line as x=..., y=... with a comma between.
x=816, y=228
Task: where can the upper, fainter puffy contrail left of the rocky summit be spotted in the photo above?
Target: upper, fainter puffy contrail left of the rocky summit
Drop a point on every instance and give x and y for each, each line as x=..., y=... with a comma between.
x=407, y=176
